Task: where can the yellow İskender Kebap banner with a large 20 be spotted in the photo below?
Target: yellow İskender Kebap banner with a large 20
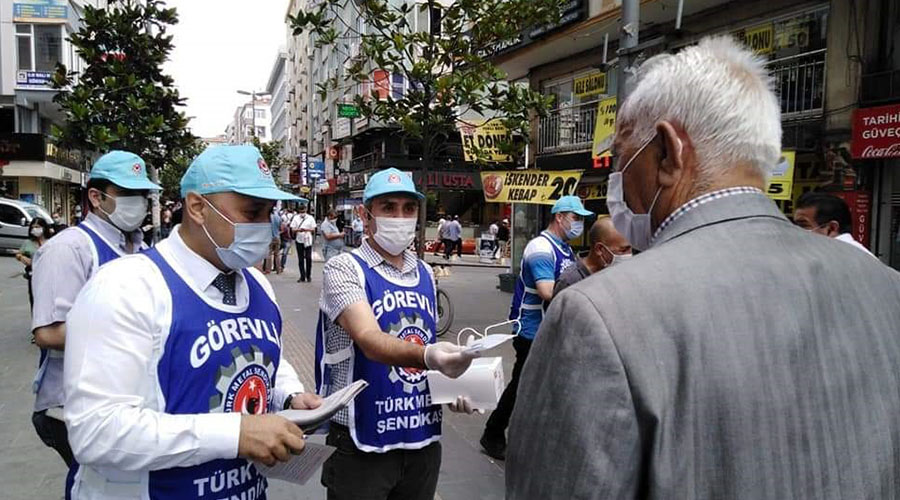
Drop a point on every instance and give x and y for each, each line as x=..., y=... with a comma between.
x=529, y=186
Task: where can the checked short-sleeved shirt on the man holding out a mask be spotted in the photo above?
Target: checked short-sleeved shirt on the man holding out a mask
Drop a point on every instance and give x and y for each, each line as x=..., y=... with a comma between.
x=343, y=287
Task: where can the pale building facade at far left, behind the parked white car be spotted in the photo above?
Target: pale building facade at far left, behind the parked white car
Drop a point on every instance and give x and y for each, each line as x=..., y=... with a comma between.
x=33, y=39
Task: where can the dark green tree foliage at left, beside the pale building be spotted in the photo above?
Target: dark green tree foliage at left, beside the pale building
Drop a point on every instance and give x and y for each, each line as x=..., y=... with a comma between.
x=122, y=99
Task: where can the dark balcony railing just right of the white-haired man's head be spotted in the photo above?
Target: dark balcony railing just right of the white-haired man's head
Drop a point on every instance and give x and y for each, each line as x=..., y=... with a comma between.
x=800, y=84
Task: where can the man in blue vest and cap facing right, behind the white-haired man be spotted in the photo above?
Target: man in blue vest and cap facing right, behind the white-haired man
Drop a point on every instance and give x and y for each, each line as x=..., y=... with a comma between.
x=544, y=259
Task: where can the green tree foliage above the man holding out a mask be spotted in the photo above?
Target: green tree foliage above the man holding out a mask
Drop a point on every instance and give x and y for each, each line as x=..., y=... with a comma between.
x=451, y=76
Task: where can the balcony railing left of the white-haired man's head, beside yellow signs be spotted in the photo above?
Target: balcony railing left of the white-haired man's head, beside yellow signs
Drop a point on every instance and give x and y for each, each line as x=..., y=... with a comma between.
x=567, y=129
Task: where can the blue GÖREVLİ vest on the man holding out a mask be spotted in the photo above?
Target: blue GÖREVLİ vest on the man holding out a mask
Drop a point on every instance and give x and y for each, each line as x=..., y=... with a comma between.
x=395, y=410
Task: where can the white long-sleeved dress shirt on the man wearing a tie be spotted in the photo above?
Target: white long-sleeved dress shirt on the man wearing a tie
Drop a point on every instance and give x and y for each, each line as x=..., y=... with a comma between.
x=114, y=409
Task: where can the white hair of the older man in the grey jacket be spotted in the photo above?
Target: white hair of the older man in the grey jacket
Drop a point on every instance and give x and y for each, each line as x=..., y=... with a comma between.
x=721, y=94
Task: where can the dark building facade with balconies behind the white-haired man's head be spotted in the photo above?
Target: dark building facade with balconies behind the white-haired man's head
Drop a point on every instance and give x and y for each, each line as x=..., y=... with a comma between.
x=817, y=74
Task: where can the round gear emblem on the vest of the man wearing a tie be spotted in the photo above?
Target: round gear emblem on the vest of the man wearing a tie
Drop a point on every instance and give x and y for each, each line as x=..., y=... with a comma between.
x=245, y=385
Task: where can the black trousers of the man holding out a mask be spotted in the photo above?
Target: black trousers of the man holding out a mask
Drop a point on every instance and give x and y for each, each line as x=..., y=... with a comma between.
x=351, y=474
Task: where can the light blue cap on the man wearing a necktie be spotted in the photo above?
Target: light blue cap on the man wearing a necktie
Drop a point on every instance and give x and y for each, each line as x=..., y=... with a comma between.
x=232, y=169
